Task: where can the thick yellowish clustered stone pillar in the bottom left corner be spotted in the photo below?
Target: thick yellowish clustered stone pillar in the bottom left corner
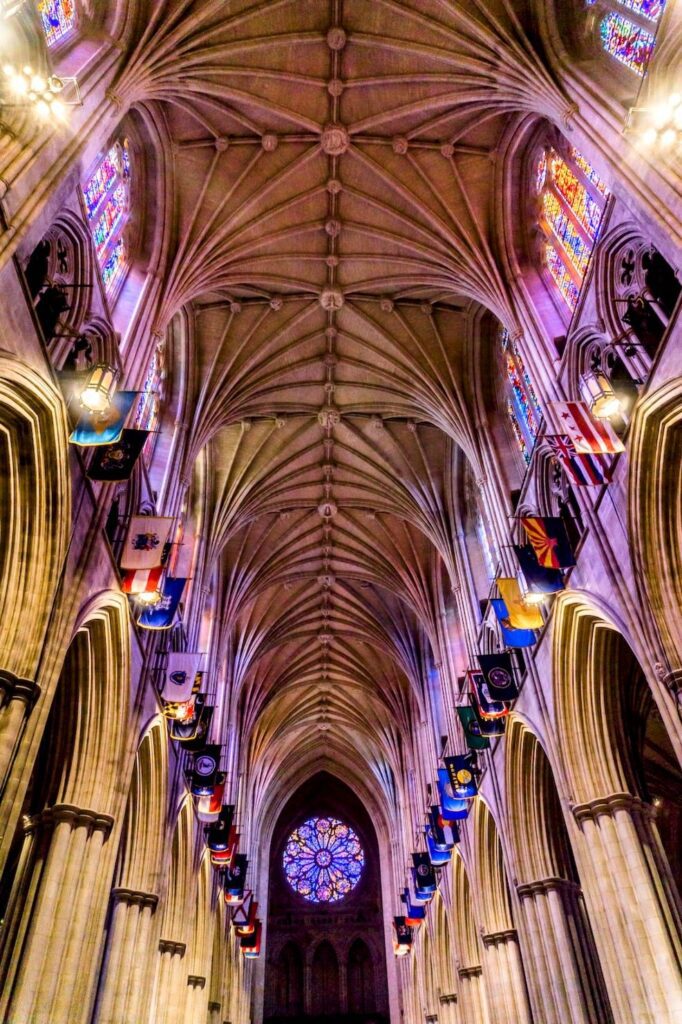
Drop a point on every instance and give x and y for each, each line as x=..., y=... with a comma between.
x=58, y=965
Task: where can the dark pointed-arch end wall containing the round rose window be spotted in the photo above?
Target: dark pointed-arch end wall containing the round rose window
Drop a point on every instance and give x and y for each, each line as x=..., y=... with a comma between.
x=326, y=958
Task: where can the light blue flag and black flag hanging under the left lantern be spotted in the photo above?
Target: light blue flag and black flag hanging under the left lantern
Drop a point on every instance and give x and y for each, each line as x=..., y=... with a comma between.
x=116, y=448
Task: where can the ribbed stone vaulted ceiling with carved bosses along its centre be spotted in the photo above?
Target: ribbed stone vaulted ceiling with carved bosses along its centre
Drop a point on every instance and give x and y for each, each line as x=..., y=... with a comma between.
x=337, y=231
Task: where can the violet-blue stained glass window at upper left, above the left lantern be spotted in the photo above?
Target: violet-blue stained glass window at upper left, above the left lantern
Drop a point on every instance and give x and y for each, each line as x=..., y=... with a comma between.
x=108, y=203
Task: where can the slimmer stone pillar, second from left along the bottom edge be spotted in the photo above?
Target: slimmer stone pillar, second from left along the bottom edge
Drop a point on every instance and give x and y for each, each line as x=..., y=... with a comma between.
x=126, y=988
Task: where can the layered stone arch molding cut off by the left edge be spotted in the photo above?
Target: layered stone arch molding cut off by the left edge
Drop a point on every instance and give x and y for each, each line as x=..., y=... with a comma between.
x=36, y=510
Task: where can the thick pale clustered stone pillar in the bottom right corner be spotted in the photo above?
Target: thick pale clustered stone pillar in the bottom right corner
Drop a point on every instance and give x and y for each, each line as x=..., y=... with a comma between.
x=629, y=895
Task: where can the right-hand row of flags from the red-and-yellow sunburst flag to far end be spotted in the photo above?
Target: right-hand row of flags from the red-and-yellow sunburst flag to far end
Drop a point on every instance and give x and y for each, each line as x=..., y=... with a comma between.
x=492, y=690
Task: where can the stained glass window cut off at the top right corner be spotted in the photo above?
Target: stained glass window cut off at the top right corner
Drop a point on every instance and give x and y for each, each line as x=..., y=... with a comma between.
x=629, y=38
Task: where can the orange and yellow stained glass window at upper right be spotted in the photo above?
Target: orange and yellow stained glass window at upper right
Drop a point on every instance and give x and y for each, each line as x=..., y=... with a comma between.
x=572, y=199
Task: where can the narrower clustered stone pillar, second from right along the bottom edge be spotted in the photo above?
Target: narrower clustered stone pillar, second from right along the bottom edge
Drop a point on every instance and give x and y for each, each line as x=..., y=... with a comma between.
x=565, y=982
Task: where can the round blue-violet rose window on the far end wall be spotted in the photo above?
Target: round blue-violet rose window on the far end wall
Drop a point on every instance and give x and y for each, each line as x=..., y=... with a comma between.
x=323, y=861
